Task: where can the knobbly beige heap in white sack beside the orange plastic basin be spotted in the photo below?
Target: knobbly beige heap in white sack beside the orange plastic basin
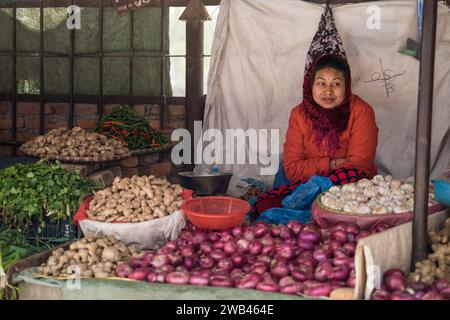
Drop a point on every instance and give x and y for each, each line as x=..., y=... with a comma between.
x=135, y=199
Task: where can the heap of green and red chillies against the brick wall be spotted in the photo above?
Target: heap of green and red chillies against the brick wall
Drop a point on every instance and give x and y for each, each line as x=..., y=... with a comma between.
x=126, y=125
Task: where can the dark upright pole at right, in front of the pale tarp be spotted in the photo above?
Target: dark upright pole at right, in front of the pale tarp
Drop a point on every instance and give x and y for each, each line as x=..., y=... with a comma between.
x=423, y=132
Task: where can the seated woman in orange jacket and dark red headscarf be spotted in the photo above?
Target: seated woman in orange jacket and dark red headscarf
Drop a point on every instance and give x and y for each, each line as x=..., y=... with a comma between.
x=331, y=133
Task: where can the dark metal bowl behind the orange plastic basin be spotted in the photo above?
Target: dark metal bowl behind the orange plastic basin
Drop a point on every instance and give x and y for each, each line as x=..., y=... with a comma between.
x=205, y=184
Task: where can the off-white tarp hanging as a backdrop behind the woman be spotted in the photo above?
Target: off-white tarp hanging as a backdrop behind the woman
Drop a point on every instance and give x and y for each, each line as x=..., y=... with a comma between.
x=257, y=65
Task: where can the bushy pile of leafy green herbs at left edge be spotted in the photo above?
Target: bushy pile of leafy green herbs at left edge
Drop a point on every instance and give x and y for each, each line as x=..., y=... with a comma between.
x=28, y=191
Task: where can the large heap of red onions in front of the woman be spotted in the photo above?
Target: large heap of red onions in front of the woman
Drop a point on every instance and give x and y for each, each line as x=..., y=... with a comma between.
x=292, y=259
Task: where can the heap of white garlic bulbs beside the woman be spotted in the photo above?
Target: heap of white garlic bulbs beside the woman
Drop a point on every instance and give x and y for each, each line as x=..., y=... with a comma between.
x=381, y=195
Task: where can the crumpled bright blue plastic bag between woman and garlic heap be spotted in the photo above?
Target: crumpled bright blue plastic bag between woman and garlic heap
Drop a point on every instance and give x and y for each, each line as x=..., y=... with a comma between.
x=304, y=195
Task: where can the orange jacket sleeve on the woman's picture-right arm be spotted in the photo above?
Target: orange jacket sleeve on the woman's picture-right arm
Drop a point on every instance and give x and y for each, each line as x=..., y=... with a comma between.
x=363, y=139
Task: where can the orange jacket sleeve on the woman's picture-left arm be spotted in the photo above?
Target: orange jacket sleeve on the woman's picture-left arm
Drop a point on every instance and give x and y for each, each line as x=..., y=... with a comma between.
x=296, y=165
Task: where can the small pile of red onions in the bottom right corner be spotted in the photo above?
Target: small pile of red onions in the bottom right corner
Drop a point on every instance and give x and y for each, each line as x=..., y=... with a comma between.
x=396, y=287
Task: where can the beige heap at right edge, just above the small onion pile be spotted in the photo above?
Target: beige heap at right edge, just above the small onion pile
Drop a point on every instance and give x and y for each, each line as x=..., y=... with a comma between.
x=438, y=263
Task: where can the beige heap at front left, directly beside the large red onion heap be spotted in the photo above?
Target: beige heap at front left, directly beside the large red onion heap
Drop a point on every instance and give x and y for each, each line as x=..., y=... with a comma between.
x=89, y=257
